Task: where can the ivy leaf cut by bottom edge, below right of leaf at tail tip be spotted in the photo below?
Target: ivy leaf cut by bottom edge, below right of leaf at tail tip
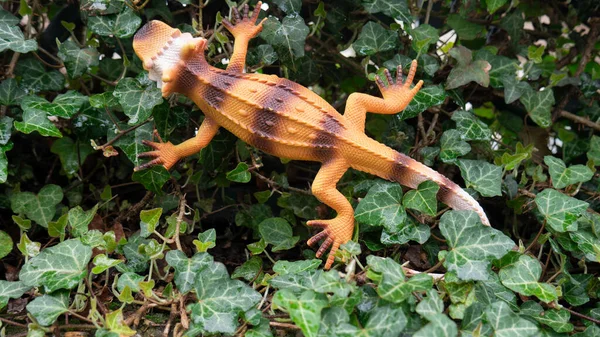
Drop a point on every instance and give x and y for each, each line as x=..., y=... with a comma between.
x=506, y=323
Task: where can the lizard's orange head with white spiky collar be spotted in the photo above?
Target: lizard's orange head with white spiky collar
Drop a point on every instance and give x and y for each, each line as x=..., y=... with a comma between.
x=162, y=47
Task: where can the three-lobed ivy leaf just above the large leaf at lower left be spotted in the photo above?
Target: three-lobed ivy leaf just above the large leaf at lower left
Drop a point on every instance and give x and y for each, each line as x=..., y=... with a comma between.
x=187, y=269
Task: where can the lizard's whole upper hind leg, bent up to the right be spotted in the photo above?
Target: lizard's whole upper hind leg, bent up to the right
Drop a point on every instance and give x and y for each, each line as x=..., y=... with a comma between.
x=396, y=96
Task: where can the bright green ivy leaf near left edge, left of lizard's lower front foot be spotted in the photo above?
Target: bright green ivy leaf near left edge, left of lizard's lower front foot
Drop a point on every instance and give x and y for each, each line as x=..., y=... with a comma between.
x=35, y=119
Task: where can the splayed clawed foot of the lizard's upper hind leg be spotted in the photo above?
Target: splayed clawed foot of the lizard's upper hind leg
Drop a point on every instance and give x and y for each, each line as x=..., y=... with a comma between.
x=398, y=88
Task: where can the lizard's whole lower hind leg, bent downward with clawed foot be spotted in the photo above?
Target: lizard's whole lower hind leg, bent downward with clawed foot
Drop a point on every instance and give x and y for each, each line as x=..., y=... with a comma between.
x=338, y=230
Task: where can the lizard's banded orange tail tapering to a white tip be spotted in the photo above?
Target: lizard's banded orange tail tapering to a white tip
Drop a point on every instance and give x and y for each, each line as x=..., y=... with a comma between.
x=389, y=164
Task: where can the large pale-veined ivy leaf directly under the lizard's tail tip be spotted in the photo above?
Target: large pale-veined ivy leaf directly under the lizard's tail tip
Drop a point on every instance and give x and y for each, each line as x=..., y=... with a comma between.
x=472, y=245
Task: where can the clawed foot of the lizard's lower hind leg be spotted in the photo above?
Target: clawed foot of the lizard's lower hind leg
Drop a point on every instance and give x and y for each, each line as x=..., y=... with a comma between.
x=336, y=231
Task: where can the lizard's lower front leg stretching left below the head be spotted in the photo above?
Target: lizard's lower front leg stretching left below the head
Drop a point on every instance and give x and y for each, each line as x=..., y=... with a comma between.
x=167, y=154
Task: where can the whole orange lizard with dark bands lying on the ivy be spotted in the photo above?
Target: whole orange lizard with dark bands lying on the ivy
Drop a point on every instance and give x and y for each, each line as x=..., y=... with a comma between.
x=285, y=119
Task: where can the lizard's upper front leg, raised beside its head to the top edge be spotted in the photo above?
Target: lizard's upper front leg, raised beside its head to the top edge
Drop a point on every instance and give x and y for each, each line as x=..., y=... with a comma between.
x=244, y=29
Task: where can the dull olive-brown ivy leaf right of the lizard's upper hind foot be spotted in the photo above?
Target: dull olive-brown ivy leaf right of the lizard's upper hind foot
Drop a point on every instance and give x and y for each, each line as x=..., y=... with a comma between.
x=467, y=70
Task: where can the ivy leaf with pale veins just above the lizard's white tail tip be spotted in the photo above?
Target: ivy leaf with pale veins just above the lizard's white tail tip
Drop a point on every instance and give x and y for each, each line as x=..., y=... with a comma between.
x=484, y=177
